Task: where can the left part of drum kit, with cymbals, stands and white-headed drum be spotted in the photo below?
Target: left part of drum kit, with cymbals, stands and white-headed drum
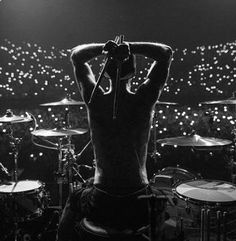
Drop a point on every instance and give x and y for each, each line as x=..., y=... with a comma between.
x=25, y=200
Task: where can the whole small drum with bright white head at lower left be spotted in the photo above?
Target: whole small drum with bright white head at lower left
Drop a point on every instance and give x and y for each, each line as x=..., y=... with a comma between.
x=22, y=200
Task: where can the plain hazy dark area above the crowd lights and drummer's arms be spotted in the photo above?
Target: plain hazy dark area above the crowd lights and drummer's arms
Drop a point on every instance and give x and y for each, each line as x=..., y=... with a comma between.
x=181, y=24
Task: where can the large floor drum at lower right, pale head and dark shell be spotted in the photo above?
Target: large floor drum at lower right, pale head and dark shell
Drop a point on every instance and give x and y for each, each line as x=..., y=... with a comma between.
x=219, y=213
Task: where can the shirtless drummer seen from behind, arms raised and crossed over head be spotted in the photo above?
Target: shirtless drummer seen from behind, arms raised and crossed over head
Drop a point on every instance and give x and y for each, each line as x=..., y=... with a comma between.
x=120, y=143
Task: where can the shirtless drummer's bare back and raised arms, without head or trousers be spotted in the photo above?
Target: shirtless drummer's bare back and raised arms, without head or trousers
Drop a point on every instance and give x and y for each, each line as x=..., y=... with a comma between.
x=120, y=144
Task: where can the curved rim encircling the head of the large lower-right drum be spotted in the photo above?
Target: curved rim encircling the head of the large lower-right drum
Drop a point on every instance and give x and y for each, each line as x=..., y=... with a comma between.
x=203, y=202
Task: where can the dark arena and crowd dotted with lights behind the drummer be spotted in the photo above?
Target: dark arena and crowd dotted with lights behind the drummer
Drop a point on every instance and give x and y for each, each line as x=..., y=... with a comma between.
x=201, y=33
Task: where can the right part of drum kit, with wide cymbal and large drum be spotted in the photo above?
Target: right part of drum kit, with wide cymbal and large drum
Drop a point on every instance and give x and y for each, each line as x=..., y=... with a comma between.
x=199, y=209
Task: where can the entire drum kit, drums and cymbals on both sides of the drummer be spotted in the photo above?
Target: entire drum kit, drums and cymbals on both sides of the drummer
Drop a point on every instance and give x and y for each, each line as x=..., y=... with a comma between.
x=195, y=203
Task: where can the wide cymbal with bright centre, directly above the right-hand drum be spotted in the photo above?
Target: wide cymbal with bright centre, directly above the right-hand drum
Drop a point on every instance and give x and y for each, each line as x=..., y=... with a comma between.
x=194, y=140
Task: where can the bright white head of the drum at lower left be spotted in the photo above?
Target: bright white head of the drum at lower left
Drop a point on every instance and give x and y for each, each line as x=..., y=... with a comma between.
x=20, y=186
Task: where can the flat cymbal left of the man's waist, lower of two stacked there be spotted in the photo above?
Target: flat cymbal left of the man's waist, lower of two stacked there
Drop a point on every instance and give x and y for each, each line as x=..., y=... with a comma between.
x=58, y=132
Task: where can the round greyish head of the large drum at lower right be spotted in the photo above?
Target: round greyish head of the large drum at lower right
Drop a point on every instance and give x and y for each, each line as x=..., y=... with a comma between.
x=207, y=191
